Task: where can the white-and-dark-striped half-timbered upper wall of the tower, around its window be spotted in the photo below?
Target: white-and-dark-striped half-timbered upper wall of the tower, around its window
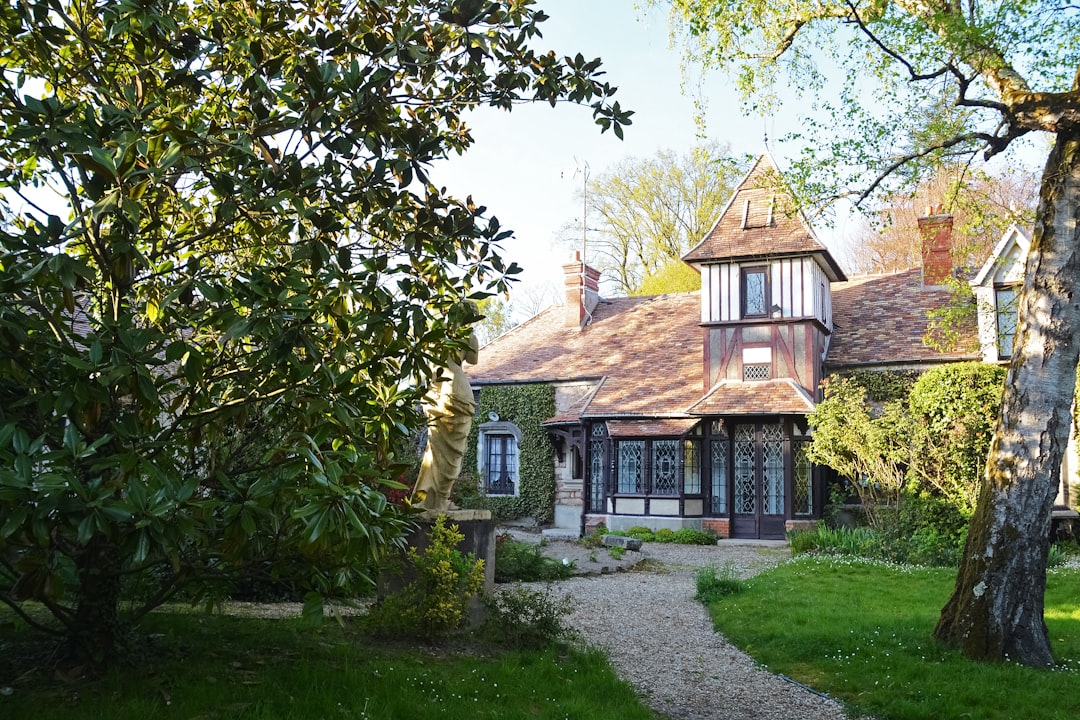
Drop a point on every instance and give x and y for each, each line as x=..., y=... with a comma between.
x=798, y=287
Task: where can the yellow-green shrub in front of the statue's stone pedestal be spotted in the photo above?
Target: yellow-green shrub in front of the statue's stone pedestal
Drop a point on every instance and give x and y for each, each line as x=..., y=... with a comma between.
x=437, y=602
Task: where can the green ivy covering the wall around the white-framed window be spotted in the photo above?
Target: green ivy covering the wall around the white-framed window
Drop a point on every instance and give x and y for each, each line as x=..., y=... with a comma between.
x=526, y=406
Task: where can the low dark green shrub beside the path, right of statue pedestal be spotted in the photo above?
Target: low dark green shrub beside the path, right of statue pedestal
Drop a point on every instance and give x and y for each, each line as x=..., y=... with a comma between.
x=521, y=618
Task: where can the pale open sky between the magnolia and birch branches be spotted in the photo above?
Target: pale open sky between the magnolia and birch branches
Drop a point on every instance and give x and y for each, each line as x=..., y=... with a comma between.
x=526, y=166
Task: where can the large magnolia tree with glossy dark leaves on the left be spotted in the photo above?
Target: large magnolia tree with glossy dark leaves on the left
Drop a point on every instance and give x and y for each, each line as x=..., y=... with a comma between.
x=226, y=277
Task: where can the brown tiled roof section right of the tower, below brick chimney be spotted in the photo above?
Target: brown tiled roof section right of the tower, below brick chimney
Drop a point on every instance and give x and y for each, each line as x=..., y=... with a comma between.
x=883, y=319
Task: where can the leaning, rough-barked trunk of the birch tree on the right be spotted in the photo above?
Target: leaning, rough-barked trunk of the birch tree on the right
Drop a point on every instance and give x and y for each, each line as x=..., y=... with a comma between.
x=996, y=610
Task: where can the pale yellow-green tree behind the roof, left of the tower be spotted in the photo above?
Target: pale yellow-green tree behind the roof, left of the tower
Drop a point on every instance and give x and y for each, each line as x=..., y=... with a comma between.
x=650, y=212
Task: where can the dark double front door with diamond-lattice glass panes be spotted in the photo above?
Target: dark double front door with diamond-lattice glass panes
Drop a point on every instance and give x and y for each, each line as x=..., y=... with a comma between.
x=759, y=473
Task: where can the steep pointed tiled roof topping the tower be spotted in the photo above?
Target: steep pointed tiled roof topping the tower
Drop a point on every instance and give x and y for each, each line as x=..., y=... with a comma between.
x=762, y=221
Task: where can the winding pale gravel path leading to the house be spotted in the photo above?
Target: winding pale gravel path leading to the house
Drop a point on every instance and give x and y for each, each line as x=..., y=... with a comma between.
x=663, y=642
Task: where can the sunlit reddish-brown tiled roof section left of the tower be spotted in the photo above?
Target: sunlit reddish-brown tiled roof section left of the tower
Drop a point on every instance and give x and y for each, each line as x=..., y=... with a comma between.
x=649, y=350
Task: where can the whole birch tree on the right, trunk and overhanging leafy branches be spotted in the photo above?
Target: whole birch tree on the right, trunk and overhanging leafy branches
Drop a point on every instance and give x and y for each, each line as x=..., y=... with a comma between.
x=935, y=80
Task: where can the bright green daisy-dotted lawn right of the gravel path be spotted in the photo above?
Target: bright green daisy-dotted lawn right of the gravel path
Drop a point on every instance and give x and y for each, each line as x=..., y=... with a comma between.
x=862, y=632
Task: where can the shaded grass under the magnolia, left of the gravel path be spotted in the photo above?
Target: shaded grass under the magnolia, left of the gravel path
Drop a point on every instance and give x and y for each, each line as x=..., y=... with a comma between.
x=214, y=668
